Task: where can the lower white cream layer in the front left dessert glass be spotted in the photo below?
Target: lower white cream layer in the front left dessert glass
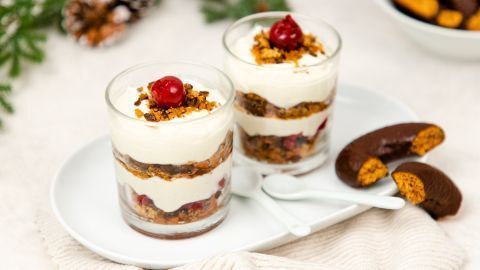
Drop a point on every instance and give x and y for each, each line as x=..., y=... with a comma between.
x=171, y=195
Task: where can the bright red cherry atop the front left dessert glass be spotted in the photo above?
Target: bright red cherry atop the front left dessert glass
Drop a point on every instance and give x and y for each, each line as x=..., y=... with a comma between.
x=168, y=92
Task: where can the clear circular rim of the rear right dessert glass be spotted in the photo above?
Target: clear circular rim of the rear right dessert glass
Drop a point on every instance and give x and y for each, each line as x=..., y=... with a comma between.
x=276, y=14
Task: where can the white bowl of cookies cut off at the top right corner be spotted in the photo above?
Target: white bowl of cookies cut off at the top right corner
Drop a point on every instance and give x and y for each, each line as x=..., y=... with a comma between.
x=450, y=28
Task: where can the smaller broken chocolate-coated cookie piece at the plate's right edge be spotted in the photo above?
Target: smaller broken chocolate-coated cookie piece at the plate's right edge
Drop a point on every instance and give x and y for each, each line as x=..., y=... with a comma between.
x=429, y=188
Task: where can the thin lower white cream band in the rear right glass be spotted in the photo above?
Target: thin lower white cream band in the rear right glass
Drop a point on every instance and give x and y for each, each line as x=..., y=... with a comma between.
x=254, y=125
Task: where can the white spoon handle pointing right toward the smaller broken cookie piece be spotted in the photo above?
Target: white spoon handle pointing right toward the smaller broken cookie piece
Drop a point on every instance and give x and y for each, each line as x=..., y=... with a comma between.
x=386, y=202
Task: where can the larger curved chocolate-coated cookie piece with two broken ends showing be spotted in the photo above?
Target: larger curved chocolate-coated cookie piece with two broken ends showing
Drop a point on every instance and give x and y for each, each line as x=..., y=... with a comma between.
x=362, y=162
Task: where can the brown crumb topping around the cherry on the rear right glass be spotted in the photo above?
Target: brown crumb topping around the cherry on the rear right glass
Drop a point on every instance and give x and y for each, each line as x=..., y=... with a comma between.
x=265, y=53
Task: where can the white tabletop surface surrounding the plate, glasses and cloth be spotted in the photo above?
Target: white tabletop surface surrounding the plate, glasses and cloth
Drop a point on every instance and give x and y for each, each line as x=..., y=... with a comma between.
x=60, y=105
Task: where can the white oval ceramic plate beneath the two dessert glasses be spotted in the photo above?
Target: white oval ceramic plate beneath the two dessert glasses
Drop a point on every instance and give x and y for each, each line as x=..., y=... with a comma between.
x=84, y=197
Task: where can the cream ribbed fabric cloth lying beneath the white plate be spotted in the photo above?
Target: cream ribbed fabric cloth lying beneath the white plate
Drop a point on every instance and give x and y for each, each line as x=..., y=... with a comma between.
x=406, y=239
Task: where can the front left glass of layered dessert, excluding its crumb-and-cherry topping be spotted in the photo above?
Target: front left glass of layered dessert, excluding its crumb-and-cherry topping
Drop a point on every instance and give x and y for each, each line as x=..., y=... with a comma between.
x=173, y=176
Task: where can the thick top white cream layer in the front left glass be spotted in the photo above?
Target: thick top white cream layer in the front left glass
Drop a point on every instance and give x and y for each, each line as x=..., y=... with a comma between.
x=178, y=141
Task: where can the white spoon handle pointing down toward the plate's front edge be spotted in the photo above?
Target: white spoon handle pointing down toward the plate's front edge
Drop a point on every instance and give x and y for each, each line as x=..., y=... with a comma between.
x=295, y=226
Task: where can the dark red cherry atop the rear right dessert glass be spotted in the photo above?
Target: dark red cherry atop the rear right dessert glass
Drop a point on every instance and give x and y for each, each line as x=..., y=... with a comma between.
x=286, y=34
